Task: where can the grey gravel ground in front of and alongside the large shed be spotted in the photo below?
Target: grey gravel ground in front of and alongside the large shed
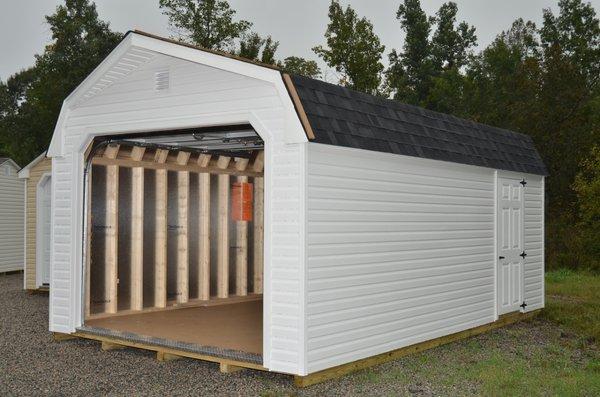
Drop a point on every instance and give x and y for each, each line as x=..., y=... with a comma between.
x=32, y=363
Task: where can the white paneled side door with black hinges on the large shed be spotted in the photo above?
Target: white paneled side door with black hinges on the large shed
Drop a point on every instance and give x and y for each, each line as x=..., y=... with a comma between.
x=510, y=245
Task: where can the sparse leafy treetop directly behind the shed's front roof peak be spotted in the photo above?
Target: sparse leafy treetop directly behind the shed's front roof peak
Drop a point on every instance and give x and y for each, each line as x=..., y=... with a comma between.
x=207, y=23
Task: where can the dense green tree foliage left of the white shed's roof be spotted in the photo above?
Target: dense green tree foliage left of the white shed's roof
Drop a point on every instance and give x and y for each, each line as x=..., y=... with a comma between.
x=31, y=99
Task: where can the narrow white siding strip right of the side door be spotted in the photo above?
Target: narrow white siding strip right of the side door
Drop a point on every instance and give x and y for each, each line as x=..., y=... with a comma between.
x=534, y=242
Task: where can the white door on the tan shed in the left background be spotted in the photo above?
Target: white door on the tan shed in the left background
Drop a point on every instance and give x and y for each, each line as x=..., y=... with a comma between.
x=43, y=252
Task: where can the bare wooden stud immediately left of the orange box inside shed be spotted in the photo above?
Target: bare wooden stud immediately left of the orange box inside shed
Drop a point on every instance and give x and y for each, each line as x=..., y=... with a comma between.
x=223, y=238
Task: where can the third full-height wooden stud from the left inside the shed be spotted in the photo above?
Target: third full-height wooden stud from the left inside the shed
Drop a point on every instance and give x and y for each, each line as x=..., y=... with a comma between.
x=160, y=242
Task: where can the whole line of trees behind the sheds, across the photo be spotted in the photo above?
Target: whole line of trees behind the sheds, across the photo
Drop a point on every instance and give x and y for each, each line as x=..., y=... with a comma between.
x=539, y=80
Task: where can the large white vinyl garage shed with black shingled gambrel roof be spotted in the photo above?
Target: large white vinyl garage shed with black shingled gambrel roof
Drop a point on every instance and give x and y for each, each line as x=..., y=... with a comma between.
x=208, y=205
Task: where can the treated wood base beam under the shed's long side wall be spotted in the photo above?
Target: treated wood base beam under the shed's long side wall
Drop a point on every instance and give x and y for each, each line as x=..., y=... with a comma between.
x=339, y=371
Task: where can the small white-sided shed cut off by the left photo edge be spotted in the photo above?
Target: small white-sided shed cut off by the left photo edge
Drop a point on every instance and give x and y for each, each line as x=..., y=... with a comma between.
x=12, y=202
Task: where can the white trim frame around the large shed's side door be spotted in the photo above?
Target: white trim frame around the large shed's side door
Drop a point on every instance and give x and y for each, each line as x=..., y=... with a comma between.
x=516, y=177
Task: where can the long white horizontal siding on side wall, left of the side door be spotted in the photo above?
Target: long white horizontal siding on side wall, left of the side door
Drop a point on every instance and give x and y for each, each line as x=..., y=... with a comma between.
x=400, y=250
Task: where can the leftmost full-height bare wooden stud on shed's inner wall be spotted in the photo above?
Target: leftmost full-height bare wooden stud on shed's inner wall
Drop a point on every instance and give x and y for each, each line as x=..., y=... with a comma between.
x=111, y=239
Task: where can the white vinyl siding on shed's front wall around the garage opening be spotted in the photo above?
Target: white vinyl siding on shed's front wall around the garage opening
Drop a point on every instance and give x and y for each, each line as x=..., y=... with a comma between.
x=195, y=92
